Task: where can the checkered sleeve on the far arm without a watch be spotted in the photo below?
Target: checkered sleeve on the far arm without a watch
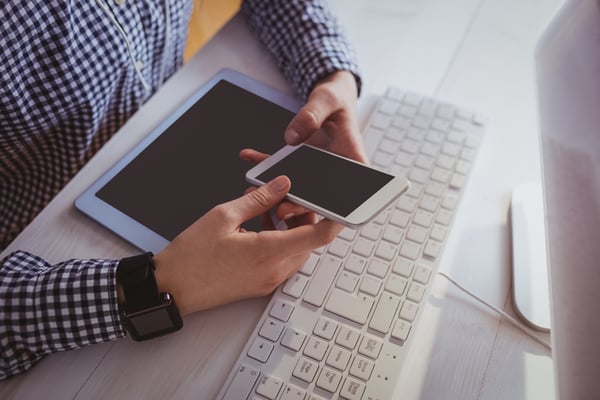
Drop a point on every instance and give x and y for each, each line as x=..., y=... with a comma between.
x=305, y=38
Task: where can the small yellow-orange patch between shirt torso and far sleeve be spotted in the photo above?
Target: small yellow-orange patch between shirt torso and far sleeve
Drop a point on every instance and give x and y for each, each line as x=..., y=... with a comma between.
x=208, y=16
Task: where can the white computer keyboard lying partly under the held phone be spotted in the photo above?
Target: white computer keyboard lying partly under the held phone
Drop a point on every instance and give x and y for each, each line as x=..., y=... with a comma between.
x=342, y=326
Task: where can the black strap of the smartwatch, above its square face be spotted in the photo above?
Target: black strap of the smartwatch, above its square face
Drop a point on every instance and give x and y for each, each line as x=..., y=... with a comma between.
x=136, y=276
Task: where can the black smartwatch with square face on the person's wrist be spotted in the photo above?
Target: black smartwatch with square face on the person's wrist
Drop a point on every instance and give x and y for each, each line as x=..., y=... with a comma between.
x=146, y=312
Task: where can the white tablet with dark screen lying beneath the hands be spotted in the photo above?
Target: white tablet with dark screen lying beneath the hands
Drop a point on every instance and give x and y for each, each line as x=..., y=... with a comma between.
x=190, y=162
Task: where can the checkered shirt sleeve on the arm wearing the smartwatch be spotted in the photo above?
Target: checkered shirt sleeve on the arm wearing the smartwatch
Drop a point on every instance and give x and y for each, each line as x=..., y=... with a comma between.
x=49, y=308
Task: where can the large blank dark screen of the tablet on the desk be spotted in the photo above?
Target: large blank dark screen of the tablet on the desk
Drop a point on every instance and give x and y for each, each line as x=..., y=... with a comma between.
x=194, y=165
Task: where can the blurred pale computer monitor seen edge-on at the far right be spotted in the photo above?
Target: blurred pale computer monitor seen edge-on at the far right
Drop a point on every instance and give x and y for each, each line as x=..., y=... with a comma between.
x=568, y=70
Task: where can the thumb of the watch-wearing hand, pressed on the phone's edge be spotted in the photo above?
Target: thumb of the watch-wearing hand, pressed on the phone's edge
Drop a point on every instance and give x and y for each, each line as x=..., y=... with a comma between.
x=260, y=200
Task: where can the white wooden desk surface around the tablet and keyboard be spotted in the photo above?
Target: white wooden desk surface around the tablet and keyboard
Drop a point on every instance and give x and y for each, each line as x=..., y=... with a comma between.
x=475, y=53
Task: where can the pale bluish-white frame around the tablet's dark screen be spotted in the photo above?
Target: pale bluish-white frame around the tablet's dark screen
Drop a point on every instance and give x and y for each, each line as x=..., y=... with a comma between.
x=128, y=228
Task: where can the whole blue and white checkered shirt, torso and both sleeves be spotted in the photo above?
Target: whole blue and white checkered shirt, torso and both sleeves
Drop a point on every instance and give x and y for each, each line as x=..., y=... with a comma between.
x=71, y=74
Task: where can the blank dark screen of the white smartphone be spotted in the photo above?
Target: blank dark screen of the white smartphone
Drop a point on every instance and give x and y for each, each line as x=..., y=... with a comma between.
x=328, y=181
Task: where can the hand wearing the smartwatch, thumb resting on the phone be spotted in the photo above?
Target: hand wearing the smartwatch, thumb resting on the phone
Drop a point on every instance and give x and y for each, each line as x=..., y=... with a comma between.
x=214, y=262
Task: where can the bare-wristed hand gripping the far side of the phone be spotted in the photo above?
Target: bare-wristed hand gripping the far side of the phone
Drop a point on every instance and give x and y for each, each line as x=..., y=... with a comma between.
x=328, y=119
